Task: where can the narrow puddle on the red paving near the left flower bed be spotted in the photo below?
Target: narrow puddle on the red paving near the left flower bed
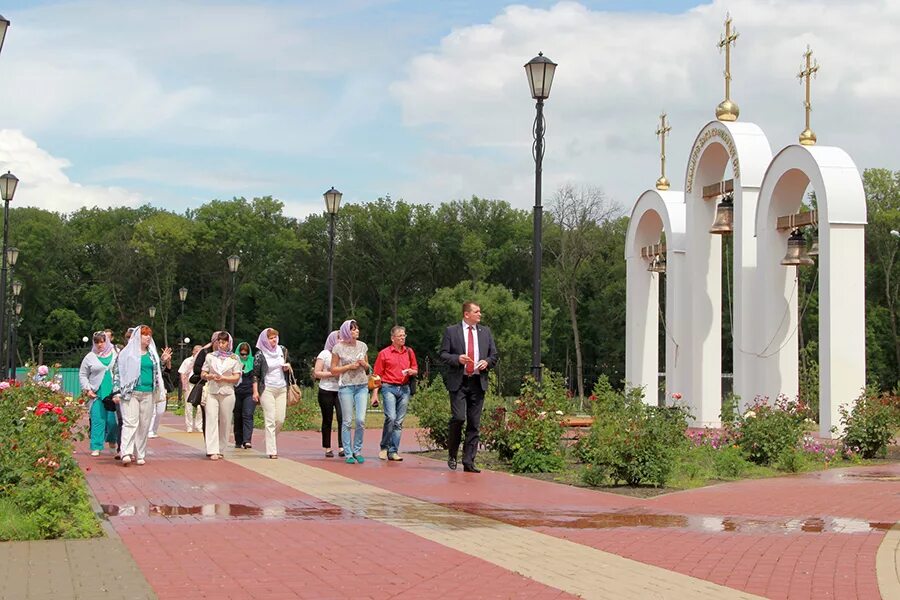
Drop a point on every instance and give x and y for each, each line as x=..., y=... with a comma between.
x=227, y=511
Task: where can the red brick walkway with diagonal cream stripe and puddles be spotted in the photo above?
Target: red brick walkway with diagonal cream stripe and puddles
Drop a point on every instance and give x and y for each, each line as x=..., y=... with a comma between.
x=309, y=527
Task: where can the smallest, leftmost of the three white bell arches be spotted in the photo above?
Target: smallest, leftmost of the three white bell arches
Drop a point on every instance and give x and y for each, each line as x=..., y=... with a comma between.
x=655, y=213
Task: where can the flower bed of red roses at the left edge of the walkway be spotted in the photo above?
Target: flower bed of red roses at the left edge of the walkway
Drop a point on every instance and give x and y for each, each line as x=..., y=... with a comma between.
x=42, y=490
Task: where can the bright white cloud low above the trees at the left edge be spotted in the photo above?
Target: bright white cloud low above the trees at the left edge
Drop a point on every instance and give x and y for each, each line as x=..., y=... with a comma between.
x=43, y=183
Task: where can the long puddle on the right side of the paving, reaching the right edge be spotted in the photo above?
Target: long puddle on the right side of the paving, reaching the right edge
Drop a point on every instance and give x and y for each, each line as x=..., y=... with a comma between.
x=709, y=524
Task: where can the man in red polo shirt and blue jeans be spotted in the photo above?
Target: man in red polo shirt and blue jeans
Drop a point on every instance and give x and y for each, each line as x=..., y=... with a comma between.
x=395, y=364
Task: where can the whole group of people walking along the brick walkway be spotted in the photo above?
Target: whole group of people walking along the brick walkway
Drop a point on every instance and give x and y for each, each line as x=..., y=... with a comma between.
x=127, y=385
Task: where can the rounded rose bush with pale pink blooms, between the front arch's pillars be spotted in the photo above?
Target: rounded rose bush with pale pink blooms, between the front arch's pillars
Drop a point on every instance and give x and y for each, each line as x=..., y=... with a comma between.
x=766, y=431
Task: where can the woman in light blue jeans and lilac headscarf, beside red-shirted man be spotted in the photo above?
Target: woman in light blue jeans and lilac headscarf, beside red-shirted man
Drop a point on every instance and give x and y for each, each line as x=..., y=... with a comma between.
x=350, y=363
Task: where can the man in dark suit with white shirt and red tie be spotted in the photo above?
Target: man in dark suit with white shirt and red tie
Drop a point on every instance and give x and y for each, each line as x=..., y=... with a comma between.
x=468, y=349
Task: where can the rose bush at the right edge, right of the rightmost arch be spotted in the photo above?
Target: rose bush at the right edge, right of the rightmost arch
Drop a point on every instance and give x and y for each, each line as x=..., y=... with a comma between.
x=870, y=426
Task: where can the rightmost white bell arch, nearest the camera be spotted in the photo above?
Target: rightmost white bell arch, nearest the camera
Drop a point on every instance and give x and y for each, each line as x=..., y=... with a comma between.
x=841, y=204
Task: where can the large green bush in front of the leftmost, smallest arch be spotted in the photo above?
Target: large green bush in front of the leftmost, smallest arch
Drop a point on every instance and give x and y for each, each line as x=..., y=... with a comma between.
x=636, y=443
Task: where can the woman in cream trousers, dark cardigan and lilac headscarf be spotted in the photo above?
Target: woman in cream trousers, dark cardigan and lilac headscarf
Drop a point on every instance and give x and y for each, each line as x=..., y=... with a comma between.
x=271, y=375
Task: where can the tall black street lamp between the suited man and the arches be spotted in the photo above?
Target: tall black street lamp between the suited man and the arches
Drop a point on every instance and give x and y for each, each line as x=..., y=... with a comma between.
x=540, y=71
